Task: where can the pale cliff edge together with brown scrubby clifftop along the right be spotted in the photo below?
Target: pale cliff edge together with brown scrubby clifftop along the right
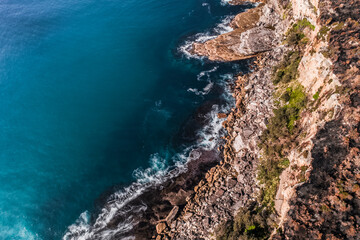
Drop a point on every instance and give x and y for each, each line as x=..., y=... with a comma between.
x=327, y=204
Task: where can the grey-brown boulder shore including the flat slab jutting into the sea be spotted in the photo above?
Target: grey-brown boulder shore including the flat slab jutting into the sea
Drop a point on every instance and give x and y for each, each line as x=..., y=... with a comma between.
x=232, y=185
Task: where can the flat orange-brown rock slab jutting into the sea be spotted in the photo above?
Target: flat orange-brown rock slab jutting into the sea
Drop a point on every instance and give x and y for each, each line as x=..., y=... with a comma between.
x=249, y=37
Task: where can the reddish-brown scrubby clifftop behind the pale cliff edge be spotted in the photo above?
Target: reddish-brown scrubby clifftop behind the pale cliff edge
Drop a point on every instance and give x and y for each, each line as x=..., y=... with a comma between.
x=327, y=205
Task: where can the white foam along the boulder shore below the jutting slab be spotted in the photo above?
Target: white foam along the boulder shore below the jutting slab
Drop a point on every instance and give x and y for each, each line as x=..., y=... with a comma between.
x=156, y=174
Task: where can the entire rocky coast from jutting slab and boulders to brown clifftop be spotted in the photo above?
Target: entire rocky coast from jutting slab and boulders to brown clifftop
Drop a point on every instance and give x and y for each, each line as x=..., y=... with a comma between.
x=290, y=167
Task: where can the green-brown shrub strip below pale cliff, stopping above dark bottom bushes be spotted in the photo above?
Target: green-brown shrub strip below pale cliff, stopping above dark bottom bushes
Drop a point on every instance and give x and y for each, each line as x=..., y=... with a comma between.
x=282, y=131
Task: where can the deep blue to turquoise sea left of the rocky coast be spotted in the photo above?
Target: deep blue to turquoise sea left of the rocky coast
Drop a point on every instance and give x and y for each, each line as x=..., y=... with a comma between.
x=89, y=91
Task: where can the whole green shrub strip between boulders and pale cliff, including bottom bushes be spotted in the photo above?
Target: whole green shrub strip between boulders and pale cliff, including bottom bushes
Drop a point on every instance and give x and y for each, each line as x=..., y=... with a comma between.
x=276, y=142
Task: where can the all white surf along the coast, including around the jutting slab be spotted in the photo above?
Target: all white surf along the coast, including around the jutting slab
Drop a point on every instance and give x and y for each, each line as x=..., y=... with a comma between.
x=117, y=205
